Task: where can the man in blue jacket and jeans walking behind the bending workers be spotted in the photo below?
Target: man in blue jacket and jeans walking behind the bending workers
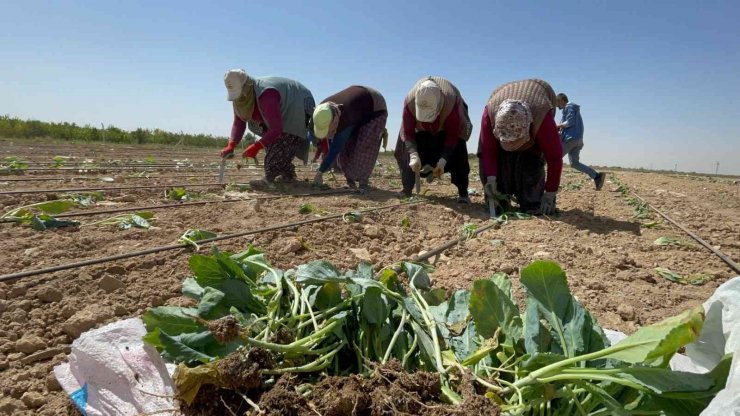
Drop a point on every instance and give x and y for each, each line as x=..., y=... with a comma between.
x=571, y=137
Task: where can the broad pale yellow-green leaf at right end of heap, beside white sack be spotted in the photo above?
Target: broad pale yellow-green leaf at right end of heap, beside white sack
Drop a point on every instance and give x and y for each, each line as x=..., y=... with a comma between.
x=661, y=339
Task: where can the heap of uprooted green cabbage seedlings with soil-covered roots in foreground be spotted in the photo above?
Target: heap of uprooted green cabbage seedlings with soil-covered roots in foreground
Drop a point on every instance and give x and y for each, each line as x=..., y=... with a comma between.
x=314, y=321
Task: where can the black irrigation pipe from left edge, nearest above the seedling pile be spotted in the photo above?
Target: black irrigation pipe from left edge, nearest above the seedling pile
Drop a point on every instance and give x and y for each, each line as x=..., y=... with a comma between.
x=61, y=267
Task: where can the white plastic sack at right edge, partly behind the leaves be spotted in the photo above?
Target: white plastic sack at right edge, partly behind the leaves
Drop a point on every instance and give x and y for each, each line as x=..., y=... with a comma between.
x=720, y=335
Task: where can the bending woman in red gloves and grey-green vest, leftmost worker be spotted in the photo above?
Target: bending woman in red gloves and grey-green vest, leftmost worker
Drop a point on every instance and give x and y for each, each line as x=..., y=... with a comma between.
x=277, y=109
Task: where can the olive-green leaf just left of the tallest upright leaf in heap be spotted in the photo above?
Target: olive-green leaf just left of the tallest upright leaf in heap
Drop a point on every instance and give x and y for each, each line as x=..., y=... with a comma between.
x=491, y=309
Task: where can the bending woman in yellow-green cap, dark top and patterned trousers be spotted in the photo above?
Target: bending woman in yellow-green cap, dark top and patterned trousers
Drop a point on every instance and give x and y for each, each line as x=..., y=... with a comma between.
x=351, y=122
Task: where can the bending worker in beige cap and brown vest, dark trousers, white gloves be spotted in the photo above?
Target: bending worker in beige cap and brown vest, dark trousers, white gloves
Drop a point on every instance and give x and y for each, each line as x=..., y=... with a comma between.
x=434, y=131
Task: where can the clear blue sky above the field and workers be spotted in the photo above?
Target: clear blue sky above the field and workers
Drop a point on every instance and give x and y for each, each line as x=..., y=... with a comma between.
x=658, y=82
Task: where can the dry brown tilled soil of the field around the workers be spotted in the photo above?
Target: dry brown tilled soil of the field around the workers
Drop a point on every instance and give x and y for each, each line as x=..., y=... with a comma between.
x=608, y=257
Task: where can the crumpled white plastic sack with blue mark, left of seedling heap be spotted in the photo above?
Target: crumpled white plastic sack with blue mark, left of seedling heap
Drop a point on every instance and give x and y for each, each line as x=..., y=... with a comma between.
x=110, y=371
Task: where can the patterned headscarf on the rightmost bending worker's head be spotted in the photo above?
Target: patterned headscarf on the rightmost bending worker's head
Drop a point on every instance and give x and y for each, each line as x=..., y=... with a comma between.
x=513, y=119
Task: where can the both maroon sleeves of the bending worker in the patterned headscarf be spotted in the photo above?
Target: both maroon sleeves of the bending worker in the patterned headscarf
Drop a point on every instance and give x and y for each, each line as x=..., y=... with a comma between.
x=547, y=140
